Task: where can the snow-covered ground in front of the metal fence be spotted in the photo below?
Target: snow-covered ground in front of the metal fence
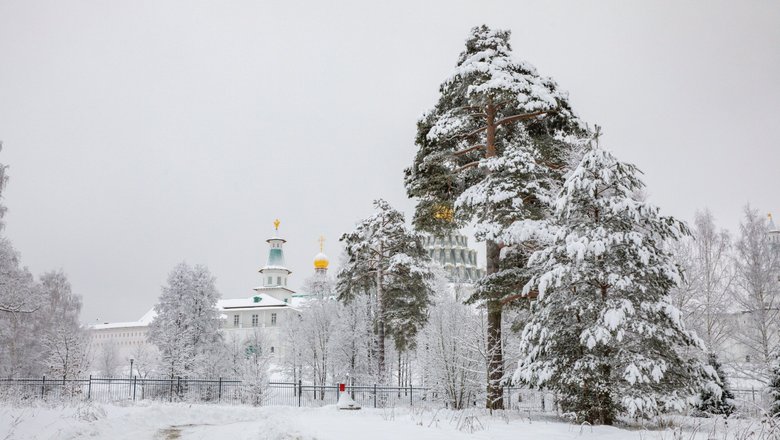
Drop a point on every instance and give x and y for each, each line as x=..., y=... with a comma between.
x=182, y=421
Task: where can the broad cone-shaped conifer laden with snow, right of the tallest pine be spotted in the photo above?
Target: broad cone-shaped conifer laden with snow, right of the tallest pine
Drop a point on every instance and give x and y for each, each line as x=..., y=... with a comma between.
x=604, y=334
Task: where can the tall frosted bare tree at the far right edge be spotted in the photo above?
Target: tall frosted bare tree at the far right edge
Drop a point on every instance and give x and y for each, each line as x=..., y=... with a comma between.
x=757, y=293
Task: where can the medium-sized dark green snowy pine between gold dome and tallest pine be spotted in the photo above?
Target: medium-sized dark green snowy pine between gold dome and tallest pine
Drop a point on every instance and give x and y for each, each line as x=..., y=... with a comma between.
x=387, y=261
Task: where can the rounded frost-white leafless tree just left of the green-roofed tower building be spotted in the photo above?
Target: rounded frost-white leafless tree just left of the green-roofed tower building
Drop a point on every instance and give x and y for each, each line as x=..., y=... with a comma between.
x=187, y=323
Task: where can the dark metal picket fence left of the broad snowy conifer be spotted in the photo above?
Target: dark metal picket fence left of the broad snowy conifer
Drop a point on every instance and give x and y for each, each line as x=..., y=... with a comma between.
x=238, y=392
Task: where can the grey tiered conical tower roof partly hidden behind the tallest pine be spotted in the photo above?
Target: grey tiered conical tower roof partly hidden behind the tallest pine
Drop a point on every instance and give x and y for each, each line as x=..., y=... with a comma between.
x=453, y=253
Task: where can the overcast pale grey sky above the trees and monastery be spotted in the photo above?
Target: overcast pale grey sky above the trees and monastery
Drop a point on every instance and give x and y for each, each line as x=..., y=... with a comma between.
x=143, y=133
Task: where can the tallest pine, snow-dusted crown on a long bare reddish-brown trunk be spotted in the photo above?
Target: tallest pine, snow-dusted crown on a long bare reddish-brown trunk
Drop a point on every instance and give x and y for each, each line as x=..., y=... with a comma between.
x=489, y=106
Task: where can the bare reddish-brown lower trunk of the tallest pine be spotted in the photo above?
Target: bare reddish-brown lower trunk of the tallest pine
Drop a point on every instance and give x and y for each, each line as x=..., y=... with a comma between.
x=495, y=353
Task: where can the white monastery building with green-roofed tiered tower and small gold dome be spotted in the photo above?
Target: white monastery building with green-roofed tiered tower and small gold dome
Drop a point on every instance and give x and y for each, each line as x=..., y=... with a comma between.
x=263, y=313
